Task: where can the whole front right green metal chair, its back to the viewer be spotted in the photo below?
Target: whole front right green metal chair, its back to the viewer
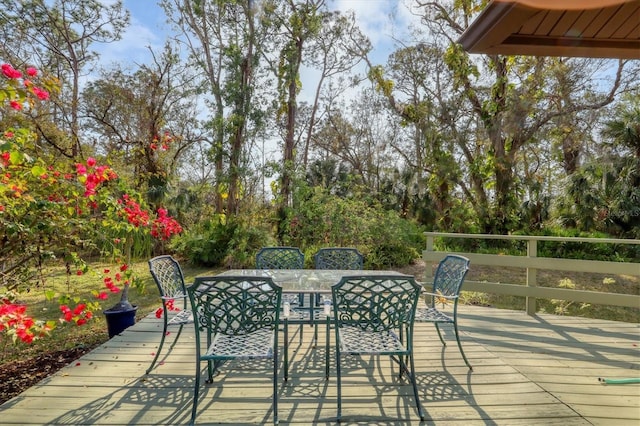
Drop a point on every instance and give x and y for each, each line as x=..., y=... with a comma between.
x=373, y=315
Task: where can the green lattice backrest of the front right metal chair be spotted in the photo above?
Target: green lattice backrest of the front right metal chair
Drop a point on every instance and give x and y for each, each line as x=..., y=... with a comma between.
x=376, y=302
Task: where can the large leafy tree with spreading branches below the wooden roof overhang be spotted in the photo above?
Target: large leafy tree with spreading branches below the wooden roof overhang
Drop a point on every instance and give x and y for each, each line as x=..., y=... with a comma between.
x=510, y=102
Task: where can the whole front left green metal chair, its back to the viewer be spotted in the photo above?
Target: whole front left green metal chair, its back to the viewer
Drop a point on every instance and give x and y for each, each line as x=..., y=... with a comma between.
x=239, y=316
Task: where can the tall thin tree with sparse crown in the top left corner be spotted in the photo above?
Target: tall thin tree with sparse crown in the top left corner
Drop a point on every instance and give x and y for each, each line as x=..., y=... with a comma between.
x=58, y=36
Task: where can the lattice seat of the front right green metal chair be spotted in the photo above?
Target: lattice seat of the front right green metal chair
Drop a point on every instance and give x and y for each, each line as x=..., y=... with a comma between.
x=355, y=340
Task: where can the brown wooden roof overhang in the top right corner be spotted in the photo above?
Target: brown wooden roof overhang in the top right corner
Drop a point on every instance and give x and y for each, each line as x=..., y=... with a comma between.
x=587, y=28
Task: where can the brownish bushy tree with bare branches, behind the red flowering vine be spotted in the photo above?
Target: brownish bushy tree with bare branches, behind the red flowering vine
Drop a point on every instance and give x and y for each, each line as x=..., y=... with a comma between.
x=145, y=121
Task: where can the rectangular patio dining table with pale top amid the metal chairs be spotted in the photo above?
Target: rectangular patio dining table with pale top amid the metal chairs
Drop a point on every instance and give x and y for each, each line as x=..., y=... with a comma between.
x=311, y=288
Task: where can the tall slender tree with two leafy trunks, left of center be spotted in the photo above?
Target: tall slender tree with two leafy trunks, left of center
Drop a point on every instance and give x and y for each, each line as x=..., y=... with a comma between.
x=223, y=42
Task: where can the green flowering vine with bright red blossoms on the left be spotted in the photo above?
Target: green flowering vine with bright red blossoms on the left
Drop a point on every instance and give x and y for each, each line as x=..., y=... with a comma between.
x=61, y=208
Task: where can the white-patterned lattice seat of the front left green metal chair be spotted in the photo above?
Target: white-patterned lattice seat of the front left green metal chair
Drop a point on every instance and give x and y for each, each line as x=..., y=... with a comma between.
x=246, y=346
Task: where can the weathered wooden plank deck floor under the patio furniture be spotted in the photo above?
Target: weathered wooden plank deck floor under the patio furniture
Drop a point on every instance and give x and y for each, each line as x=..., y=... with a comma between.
x=540, y=370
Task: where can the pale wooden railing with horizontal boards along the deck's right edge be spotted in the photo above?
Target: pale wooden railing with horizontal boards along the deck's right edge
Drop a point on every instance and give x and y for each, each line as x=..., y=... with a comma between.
x=531, y=263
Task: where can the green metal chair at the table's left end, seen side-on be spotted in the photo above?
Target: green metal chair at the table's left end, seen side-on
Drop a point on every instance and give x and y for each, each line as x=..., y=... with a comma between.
x=167, y=274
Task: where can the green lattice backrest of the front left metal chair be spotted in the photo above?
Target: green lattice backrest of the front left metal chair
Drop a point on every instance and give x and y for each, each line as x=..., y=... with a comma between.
x=235, y=306
